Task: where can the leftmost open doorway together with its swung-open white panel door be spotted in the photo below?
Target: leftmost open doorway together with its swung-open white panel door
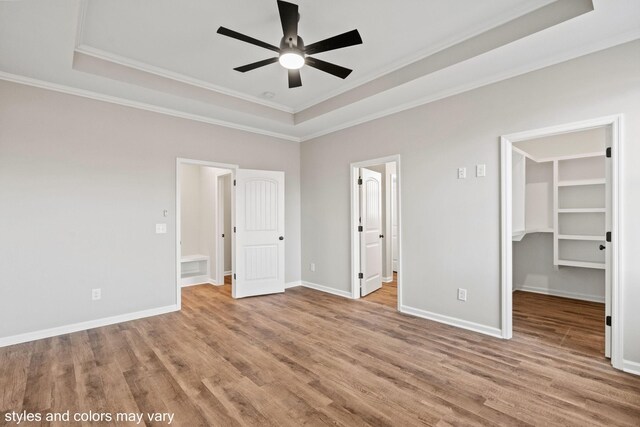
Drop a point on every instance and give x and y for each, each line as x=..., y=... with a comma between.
x=257, y=205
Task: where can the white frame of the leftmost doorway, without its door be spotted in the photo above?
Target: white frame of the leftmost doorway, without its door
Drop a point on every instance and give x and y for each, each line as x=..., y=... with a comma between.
x=183, y=161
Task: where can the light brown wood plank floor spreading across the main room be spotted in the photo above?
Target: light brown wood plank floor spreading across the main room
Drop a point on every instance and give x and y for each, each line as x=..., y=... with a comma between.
x=310, y=358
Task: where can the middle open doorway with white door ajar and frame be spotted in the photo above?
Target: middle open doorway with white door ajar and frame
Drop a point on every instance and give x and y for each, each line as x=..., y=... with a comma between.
x=376, y=258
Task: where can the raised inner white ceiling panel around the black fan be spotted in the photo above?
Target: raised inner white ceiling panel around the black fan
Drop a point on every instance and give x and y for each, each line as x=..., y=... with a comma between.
x=180, y=37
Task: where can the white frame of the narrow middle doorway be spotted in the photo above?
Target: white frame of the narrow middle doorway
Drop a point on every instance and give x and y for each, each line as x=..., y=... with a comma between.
x=355, y=214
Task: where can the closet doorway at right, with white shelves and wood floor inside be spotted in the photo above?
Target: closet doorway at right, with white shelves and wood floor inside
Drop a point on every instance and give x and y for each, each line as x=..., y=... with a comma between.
x=559, y=236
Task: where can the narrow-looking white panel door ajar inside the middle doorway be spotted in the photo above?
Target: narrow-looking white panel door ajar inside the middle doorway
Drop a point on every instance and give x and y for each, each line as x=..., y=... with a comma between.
x=371, y=235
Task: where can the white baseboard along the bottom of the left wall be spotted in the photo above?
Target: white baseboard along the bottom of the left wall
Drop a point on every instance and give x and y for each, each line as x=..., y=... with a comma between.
x=83, y=326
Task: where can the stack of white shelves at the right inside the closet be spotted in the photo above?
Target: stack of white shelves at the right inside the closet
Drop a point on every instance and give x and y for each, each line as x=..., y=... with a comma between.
x=579, y=211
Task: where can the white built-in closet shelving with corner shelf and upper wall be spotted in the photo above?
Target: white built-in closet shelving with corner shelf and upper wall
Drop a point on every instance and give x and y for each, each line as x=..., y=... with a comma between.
x=564, y=196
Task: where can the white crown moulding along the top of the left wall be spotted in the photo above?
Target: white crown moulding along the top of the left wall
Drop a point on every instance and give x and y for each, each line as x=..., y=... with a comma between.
x=28, y=81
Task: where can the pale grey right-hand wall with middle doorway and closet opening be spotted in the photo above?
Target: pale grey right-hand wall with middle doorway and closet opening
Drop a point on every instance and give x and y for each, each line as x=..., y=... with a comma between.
x=451, y=227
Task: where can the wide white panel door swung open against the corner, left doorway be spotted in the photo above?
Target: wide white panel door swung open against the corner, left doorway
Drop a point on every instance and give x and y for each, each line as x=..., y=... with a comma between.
x=259, y=260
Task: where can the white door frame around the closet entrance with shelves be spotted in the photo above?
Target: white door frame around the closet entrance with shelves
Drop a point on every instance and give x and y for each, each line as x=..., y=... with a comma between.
x=506, y=226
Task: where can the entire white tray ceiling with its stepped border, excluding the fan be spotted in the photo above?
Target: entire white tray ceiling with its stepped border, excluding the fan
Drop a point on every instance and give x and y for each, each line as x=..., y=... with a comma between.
x=164, y=55
